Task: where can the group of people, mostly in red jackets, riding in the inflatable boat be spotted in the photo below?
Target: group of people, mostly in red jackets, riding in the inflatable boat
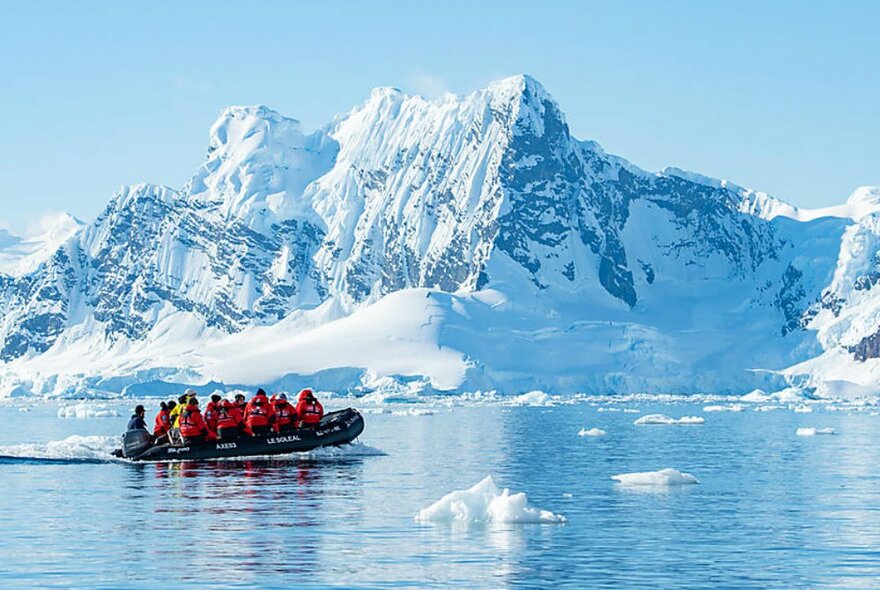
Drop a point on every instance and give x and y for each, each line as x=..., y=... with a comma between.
x=225, y=419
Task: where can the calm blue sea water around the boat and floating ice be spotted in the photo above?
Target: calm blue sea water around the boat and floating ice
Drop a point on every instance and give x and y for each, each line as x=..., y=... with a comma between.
x=772, y=509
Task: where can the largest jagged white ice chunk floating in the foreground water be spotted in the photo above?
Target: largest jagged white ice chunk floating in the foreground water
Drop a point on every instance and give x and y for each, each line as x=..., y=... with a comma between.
x=485, y=503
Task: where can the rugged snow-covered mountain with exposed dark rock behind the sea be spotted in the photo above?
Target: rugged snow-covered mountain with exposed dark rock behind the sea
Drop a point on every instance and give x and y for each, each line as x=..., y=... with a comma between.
x=464, y=242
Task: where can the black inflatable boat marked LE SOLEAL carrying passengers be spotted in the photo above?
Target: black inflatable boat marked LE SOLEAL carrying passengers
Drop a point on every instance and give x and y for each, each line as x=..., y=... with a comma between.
x=336, y=428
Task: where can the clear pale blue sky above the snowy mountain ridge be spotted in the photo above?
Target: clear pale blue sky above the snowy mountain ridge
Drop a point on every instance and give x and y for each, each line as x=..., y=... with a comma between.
x=780, y=96
